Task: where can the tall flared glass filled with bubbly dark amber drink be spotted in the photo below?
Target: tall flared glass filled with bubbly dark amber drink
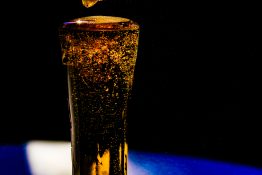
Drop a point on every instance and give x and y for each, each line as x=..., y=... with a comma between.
x=100, y=53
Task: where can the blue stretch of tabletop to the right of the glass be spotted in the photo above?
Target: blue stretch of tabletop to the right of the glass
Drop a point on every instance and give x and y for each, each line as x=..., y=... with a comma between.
x=166, y=164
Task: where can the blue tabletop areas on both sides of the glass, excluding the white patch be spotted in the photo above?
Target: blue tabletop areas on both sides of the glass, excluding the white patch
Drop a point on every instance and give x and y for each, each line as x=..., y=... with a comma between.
x=13, y=161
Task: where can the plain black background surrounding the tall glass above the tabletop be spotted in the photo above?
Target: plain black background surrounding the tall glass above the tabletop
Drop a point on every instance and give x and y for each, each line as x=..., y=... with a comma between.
x=187, y=97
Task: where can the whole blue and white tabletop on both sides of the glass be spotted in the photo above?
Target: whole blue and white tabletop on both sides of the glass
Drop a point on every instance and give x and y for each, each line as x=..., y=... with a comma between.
x=53, y=158
